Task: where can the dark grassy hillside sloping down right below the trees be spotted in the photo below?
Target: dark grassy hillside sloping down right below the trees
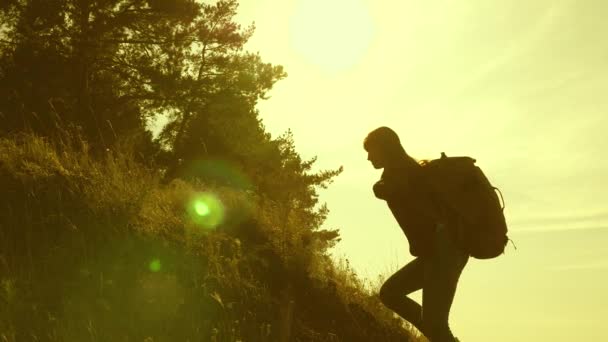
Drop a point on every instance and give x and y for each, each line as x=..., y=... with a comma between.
x=100, y=249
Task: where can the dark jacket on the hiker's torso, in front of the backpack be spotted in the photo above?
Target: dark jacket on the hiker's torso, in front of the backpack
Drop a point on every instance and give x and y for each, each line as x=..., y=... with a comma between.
x=412, y=204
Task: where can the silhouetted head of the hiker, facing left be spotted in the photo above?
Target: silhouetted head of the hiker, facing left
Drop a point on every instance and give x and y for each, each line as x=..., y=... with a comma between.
x=383, y=147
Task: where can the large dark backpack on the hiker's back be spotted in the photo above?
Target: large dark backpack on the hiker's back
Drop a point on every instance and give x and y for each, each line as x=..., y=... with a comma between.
x=472, y=201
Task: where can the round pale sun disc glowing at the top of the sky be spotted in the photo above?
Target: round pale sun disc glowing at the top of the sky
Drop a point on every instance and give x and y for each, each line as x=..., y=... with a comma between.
x=334, y=35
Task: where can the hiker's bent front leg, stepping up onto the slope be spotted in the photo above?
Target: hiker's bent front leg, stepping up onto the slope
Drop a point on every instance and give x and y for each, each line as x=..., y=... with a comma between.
x=395, y=289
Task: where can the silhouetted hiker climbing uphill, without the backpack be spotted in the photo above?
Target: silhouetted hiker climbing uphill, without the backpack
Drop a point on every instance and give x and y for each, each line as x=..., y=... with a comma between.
x=439, y=261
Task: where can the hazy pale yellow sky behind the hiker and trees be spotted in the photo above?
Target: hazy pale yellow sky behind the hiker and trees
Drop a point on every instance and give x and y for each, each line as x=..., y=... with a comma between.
x=522, y=86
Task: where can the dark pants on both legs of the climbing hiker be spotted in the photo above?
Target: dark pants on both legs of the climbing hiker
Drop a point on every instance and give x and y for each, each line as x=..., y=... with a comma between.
x=437, y=275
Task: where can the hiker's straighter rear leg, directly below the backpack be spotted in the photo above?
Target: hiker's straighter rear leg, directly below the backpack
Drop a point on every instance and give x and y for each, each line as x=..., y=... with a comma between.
x=441, y=278
